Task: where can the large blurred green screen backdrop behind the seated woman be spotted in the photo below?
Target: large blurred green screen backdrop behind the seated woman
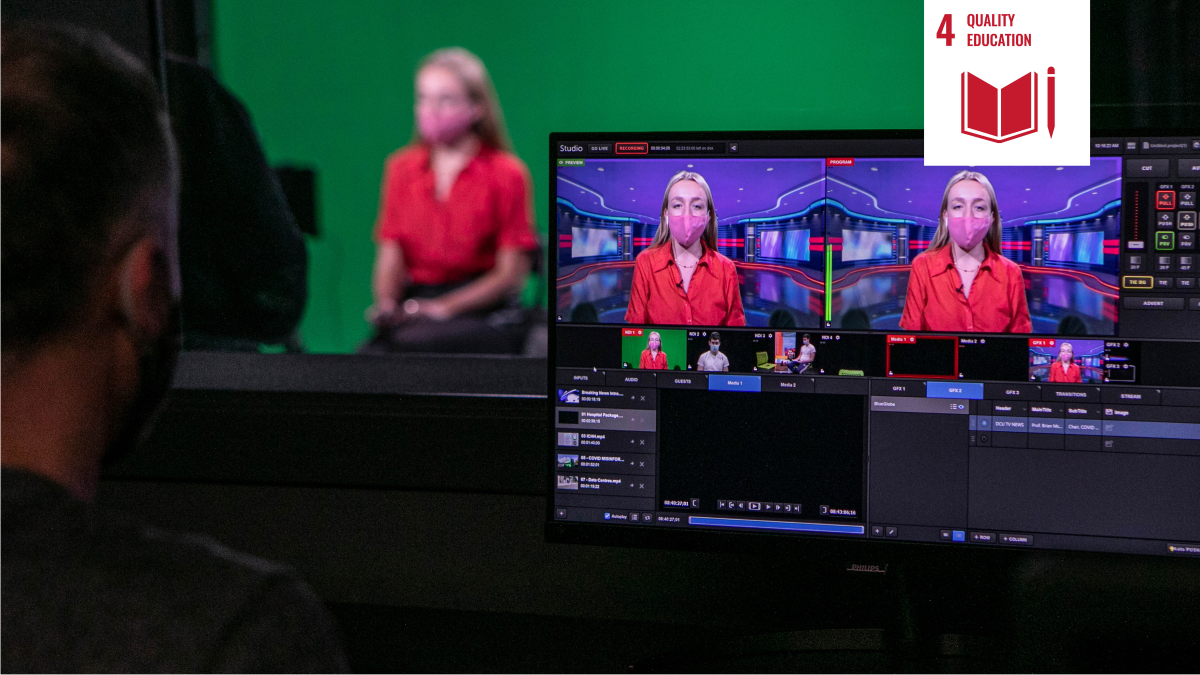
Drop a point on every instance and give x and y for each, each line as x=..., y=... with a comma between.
x=328, y=85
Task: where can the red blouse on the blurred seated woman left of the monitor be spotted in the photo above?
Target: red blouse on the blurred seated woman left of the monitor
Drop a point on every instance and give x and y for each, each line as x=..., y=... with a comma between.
x=489, y=208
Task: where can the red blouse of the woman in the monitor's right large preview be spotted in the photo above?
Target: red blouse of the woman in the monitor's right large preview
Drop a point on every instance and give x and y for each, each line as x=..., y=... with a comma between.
x=935, y=300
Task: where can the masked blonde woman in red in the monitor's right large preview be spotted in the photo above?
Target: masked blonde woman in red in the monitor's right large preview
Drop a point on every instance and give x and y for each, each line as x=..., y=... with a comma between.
x=963, y=283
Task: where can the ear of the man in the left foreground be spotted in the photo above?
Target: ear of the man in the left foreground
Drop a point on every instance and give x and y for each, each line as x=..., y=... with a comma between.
x=146, y=291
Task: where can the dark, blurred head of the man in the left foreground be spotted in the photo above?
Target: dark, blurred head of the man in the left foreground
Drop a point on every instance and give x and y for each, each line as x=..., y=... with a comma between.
x=91, y=279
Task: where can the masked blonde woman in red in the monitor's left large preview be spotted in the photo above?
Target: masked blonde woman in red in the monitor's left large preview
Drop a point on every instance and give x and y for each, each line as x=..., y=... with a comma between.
x=681, y=279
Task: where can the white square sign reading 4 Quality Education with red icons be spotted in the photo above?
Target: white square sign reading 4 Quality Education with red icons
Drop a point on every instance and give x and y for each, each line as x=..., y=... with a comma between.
x=1011, y=88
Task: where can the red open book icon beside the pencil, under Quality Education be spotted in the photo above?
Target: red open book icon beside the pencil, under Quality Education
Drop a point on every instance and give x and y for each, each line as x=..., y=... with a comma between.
x=1000, y=115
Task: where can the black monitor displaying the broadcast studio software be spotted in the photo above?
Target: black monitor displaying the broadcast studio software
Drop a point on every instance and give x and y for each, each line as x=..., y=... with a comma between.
x=823, y=337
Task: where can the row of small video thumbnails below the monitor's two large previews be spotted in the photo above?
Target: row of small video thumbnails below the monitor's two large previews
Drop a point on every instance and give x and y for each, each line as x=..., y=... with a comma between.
x=644, y=351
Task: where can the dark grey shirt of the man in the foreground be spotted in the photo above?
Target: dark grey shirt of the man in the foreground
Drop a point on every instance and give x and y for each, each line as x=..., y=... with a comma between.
x=85, y=590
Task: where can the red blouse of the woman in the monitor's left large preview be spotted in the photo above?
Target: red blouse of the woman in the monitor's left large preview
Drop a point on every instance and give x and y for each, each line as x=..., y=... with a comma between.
x=713, y=297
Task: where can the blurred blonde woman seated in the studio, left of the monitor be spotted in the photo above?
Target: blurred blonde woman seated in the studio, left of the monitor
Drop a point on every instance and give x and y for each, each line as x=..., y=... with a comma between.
x=455, y=228
